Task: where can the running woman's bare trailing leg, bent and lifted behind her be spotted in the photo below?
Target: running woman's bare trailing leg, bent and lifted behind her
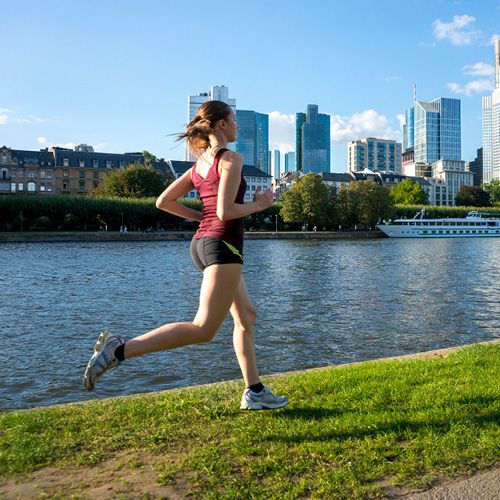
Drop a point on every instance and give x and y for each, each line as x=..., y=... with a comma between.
x=218, y=289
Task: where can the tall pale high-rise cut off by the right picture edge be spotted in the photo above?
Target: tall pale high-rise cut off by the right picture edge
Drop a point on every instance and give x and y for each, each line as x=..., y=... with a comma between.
x=491, y=126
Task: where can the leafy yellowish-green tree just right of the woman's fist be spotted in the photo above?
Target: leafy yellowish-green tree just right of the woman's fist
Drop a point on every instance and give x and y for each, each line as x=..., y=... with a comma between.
x=307, y=201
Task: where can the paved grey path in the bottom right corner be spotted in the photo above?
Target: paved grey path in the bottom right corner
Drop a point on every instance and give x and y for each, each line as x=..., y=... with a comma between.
x=482, y=486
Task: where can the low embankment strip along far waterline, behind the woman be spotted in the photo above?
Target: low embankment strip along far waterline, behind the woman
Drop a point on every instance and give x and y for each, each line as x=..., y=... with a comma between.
x=47, y=237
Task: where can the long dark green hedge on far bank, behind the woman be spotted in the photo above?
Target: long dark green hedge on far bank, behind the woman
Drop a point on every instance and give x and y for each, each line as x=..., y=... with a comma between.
x=80, y=213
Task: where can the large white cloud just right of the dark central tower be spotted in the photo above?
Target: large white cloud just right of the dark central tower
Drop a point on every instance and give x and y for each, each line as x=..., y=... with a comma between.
x=368, y=123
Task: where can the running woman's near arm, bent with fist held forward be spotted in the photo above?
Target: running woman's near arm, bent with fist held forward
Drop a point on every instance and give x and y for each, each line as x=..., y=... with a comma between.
x=230, y=167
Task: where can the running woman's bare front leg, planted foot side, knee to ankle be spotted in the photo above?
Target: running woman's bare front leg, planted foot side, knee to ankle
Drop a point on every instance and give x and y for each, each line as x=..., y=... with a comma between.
x=244, y=315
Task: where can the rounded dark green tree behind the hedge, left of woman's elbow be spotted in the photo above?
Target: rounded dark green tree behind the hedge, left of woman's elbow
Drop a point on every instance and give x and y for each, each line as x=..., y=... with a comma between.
x=135, y=181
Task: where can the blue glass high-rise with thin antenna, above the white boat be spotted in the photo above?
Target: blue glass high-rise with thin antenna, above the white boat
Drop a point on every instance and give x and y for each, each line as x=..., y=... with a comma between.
x=434, y=130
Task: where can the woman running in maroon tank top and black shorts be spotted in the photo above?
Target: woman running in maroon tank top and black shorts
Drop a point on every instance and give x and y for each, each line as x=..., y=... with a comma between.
x=217, y=250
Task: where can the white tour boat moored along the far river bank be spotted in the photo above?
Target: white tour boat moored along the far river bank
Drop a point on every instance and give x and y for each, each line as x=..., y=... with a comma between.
x=474, y=225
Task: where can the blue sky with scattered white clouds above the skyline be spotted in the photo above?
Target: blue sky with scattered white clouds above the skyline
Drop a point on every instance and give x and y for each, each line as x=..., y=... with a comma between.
x=117, y=74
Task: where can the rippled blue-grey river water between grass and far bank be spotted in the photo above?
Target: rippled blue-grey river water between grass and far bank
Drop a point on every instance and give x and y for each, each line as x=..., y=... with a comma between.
x=318, y=302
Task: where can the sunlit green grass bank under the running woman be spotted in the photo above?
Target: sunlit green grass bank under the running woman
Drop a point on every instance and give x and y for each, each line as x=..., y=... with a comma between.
x=347, y=432
